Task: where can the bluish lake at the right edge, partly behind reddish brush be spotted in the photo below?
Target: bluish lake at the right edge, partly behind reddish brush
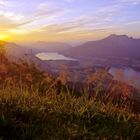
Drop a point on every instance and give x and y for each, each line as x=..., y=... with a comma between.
x=126, y=75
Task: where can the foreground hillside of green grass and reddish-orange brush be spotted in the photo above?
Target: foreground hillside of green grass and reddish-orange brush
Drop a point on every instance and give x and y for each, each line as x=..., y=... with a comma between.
x=36, y=106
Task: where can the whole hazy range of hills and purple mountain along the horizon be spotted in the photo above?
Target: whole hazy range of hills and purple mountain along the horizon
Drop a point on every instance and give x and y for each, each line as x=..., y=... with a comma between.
x=113, y=45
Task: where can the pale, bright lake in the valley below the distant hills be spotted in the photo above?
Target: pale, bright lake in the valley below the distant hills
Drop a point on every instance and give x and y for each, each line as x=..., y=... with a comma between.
x=53, y=56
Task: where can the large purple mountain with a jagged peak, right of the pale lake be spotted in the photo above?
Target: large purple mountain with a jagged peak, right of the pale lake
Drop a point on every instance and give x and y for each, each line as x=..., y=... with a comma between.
x=113, y=45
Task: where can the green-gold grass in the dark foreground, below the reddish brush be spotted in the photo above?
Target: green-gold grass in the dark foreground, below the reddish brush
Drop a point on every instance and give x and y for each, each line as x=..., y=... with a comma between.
x=26, y=115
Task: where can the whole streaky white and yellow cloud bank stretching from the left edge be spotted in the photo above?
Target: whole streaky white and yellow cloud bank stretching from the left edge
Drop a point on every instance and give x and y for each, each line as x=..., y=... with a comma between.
x=40, y=19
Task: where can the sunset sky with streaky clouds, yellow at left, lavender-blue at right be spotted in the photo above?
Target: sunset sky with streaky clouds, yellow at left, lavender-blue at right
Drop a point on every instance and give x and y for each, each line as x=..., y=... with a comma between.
x=67, y=20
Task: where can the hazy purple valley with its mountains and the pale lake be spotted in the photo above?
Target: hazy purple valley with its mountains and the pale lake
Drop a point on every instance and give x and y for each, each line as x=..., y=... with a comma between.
x=117, y=51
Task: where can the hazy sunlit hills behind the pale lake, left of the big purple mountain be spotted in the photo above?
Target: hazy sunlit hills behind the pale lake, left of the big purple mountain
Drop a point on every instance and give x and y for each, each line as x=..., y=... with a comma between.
x=19, y=51
